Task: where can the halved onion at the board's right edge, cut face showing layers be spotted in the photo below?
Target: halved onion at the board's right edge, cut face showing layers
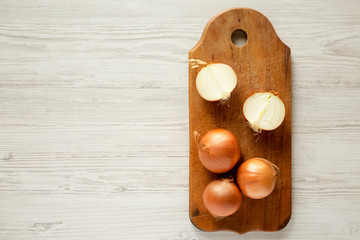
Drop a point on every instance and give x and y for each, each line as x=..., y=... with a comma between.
x=264, y=111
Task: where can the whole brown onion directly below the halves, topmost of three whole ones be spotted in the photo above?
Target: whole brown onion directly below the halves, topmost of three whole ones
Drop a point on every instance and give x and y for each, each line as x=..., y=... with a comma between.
x=218, y=150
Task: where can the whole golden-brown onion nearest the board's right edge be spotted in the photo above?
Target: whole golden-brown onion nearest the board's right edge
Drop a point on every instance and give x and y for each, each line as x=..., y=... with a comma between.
x=256, y=177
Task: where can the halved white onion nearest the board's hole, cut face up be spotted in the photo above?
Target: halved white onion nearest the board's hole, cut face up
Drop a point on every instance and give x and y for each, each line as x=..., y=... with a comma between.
x=216, y=81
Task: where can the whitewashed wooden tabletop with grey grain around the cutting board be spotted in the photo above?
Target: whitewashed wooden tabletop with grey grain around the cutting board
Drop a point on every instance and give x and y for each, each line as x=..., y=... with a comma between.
x=94, y=117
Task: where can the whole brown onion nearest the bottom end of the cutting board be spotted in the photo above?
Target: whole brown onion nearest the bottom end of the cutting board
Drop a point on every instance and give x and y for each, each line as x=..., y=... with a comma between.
x=222, y=198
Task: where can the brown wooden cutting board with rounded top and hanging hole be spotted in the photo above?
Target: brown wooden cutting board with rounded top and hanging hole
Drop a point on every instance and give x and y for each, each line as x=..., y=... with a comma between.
x=261, y=64
